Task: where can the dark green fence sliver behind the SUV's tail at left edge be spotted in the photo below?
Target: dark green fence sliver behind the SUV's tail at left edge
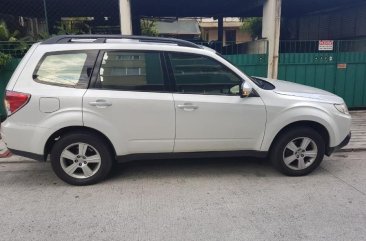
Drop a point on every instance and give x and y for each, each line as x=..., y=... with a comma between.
x=5, y=75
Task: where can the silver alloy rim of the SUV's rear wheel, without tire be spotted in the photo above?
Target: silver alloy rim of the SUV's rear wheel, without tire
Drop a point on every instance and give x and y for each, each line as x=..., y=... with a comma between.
x=80, y=160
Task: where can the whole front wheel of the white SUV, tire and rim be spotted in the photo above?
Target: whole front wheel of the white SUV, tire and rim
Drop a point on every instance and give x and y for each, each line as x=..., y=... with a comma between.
x=298, y=151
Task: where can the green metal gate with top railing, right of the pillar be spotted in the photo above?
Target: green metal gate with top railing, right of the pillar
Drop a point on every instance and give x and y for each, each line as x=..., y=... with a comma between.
x=341, y=69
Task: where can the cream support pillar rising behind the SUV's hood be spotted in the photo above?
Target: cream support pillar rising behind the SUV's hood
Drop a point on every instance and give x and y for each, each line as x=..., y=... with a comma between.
x=271, y=24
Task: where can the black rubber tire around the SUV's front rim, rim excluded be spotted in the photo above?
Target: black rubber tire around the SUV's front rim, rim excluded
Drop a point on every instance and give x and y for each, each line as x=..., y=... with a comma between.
x=279, y=151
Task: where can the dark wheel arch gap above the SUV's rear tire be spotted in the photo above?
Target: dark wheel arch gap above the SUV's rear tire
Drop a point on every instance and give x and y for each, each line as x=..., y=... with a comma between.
x=72, y=129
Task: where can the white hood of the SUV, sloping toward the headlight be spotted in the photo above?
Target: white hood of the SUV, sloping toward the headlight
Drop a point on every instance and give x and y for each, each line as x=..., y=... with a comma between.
x=298, y=90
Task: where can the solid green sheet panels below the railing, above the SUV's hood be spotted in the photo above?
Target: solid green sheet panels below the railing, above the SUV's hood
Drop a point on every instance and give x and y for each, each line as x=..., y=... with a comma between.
x=342, y=73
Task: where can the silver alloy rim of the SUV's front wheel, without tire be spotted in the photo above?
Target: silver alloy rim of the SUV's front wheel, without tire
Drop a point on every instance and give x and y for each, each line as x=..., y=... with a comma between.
x=300, y=153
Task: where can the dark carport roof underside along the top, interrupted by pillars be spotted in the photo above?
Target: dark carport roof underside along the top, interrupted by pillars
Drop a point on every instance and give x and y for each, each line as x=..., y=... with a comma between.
x=165, y=8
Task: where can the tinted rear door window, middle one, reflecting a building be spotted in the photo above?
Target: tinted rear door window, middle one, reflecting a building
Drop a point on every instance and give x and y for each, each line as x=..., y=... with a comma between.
x=136, y=71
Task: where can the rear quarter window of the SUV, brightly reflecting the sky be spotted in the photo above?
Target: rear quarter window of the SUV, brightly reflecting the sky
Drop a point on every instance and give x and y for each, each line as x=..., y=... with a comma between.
x=70, y=69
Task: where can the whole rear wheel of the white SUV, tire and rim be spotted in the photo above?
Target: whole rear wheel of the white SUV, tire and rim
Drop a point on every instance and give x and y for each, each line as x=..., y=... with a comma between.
x=81, y=158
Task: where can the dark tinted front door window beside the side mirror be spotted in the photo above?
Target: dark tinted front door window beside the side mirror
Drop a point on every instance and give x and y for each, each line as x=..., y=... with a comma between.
x=202, y=75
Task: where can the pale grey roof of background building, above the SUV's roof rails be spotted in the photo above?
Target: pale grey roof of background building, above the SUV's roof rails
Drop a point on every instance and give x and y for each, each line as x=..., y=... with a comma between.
x=179, y=27
